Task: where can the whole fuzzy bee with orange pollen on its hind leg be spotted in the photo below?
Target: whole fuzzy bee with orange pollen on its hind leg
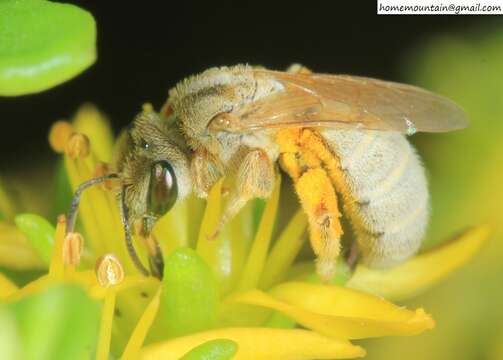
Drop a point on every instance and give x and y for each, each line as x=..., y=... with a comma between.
x=340, y=139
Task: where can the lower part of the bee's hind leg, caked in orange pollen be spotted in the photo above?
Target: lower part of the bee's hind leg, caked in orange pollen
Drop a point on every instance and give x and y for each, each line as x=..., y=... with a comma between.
x=319, y=201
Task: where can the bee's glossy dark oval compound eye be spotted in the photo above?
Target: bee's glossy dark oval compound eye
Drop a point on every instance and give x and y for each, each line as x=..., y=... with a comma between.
x=163, y=188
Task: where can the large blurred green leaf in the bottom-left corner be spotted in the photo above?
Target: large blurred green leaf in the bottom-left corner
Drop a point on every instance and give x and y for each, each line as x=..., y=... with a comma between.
x=59, y=323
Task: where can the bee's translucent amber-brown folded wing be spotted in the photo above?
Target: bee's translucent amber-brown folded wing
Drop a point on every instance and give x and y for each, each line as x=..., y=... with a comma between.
x=318, y=100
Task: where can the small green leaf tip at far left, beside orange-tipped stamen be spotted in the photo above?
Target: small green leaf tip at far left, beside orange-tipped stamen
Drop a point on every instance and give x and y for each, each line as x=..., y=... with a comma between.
x=40, y=234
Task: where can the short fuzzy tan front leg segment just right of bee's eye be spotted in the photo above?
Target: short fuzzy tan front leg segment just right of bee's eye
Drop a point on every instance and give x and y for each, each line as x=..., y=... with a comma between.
x=205, y=171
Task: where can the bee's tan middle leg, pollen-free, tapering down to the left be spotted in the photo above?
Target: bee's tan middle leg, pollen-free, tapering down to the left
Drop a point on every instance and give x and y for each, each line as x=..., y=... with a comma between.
x=254, y=179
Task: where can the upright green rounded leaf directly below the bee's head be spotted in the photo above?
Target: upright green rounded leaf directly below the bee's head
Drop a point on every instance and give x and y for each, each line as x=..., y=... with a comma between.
x=189, y=300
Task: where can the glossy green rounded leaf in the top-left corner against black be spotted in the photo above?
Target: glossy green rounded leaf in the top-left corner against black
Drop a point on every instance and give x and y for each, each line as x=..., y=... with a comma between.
x=43, y=44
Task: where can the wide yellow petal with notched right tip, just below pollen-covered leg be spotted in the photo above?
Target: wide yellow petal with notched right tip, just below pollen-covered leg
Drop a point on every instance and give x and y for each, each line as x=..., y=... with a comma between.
x=310, y=311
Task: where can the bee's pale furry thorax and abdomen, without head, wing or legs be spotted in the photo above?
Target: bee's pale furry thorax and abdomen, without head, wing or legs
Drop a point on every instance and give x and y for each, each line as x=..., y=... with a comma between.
x=383, y=174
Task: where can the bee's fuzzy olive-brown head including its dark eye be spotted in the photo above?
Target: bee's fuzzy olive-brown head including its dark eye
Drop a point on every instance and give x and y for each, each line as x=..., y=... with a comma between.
x=153, y=164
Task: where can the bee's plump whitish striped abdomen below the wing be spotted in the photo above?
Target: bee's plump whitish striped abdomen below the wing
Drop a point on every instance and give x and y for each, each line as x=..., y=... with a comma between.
x=388, y=201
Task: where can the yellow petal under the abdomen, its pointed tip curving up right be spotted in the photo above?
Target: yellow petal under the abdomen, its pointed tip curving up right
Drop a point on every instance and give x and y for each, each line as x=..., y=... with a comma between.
x=422, y=271
